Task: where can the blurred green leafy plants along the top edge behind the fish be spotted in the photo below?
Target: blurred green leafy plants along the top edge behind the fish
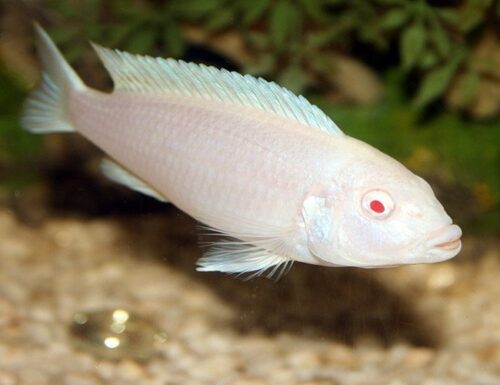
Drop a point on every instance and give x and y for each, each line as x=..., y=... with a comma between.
x=434, y=41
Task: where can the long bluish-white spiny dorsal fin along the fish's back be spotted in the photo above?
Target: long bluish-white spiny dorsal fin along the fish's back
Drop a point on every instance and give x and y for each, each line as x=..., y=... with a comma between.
x=147, y=74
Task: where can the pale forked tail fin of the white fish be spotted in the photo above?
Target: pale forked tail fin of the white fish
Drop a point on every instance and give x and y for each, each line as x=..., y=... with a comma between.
x=46, y=108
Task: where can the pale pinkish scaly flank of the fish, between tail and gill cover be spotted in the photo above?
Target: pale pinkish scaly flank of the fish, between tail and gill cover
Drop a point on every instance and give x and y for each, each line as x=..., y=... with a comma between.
x=194, y=154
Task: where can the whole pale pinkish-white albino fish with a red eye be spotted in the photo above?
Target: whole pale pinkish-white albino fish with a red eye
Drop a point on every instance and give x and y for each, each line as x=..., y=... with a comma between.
x=248, y=159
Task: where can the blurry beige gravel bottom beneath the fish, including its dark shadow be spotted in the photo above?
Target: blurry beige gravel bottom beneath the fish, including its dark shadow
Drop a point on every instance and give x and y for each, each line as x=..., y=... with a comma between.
x=426, y=325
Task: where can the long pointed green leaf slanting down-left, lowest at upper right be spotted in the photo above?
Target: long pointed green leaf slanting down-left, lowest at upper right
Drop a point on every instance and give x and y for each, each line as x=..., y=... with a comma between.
x=436, y=82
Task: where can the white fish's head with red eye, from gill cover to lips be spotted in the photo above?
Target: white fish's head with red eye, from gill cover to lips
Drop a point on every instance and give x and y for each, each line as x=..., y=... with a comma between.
x=380, y=215
